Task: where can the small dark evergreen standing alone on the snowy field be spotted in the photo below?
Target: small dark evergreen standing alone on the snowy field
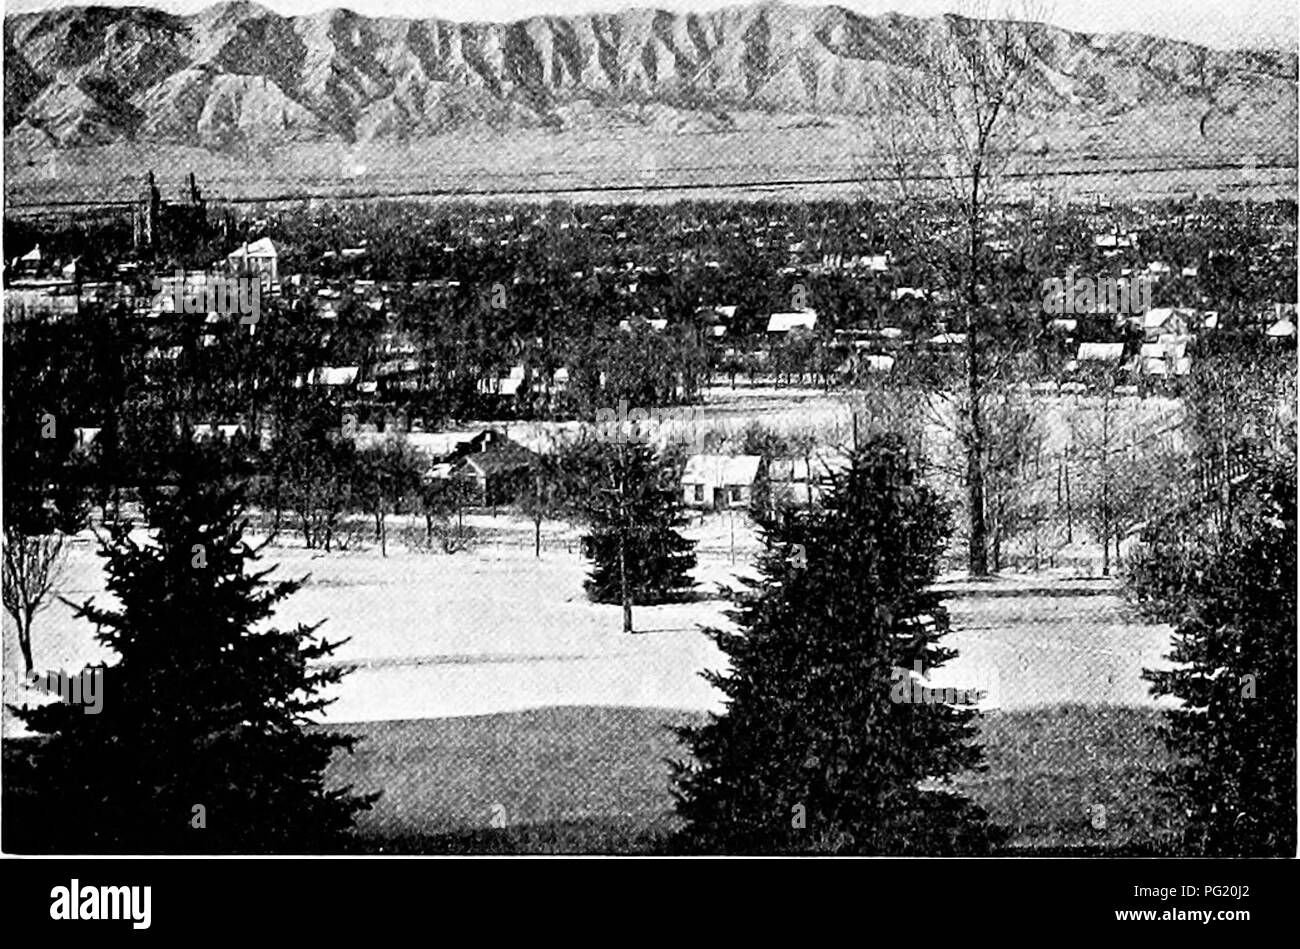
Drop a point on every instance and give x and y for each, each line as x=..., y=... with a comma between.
x=636, y=518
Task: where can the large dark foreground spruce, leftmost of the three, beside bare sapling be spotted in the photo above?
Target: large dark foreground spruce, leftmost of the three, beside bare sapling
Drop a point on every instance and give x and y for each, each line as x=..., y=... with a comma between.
x=201, y=744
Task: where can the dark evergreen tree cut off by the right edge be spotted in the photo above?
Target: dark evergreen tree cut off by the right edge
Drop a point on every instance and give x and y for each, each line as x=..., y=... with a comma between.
x=1232, y=597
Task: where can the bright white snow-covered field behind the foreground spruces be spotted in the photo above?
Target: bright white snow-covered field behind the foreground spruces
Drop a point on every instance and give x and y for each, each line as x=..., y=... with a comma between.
x=497, y=630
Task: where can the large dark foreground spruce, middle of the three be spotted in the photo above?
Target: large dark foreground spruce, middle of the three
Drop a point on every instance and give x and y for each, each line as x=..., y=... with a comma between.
x=820, y=748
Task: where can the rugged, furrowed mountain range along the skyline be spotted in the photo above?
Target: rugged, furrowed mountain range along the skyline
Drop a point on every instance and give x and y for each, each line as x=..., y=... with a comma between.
x=237, y=73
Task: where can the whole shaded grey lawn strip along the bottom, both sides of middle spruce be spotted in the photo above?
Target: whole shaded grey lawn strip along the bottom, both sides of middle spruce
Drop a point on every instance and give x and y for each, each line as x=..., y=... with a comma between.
x=596, y=781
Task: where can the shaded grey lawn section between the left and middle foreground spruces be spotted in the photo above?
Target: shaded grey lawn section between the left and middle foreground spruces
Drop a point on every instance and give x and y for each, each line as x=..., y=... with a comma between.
x=552, y=781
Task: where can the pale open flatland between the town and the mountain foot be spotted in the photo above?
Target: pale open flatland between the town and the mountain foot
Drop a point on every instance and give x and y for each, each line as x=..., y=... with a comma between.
x=801, y=161
